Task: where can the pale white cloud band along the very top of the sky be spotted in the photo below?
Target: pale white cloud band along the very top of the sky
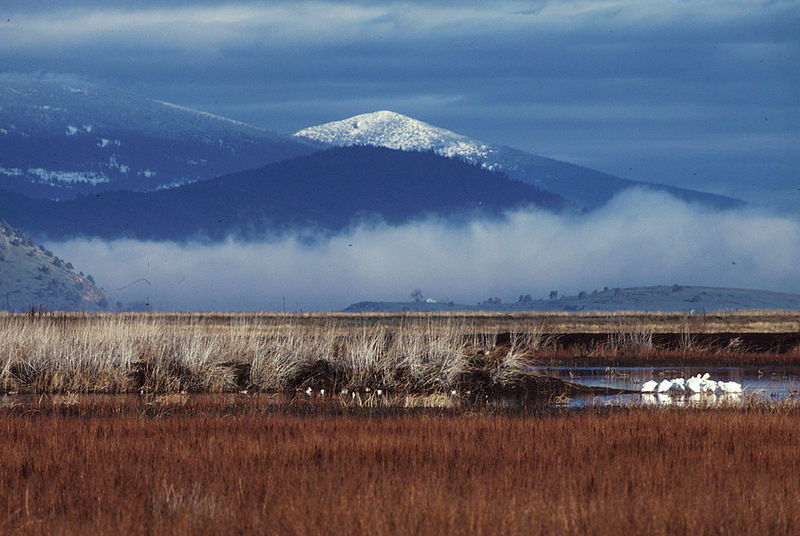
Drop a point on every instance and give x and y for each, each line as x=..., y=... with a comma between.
x=320, y=22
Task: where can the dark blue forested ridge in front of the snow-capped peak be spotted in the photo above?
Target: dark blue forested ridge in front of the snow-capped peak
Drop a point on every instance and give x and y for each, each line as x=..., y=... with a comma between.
x=327, y=190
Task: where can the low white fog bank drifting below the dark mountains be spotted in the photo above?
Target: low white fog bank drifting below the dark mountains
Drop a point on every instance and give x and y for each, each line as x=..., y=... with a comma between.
x=639, y=238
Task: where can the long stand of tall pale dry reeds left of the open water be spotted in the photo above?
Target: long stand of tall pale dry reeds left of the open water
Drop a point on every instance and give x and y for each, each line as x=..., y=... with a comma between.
x=155, y=353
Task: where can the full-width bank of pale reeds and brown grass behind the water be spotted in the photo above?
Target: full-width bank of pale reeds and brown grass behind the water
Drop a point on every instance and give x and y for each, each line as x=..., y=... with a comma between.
x=414, y=353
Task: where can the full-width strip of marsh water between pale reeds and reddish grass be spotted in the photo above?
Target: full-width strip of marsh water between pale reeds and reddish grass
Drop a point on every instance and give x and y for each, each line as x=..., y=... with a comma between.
x=764, y=384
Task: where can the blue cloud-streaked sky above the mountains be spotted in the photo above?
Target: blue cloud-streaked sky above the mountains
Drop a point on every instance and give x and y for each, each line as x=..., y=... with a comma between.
x=702, y=94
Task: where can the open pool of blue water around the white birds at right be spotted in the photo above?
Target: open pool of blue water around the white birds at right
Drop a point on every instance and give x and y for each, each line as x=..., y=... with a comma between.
x=764, y=382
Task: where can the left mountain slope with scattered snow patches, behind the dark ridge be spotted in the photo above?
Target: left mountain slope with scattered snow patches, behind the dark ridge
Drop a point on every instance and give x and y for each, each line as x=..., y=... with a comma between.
x=62, y=137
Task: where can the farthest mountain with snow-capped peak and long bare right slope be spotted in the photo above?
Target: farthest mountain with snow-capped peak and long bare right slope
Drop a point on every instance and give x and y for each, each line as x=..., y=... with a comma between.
x=585, y=187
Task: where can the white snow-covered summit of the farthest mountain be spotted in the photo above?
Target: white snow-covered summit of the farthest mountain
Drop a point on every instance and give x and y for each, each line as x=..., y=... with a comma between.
x=397, y=131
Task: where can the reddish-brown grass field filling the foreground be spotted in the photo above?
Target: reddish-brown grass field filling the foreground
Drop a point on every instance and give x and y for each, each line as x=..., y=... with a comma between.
x=190, y=465
